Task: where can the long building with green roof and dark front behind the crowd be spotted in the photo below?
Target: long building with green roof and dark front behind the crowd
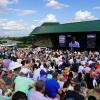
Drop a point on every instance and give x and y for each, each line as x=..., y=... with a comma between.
x=59, y=35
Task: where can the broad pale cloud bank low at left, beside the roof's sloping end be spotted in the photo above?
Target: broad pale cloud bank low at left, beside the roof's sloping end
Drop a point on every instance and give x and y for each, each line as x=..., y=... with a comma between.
x=14, y=28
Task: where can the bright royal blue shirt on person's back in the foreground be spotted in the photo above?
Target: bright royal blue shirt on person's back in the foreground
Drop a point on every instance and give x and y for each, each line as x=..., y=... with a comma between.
x=52, y=87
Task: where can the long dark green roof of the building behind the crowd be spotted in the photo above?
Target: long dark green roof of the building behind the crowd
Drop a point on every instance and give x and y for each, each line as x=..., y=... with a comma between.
x=86, y=26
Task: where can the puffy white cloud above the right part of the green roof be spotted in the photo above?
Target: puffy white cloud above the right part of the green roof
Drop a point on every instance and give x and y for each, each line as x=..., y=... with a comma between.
x=83, y=16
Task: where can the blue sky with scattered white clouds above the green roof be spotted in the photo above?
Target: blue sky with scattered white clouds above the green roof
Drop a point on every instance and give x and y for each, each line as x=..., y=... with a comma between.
x=20, y=17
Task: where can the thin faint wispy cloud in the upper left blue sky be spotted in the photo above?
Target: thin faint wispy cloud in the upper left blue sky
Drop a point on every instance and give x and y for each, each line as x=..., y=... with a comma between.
x=22, y=12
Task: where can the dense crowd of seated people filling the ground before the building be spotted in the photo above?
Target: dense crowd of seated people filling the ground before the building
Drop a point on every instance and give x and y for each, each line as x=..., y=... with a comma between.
x=47, y=74
